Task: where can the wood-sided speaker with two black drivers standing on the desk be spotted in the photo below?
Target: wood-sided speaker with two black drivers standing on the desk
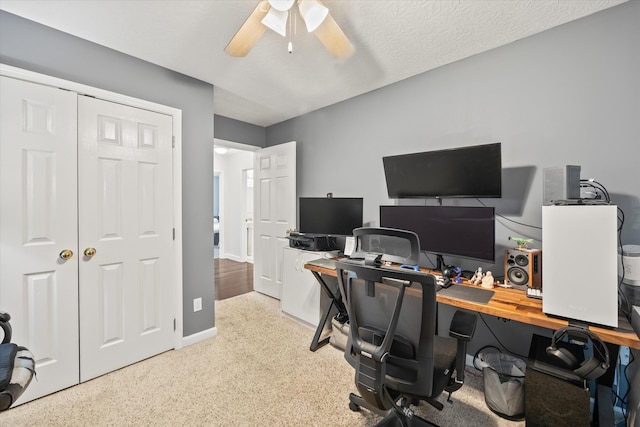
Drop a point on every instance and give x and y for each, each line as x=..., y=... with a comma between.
x=523, y=267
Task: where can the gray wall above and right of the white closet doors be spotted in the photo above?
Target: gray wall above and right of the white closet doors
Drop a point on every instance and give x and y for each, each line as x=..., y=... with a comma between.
x=31, y=46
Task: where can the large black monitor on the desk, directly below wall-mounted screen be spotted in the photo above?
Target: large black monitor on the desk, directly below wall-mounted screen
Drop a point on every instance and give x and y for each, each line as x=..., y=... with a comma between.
x=460, y=231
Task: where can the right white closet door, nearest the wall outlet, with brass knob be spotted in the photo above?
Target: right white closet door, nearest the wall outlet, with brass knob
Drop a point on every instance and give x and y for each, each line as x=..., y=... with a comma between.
x=125, y=217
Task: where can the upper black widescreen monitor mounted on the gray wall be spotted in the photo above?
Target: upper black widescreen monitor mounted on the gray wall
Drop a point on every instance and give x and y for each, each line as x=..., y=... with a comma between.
x=474, y=171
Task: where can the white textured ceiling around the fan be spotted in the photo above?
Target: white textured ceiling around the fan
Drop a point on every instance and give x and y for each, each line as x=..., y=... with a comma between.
x=393, y=40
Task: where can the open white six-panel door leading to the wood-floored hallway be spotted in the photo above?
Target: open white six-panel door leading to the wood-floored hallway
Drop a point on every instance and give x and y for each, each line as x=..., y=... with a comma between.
x=275, y=213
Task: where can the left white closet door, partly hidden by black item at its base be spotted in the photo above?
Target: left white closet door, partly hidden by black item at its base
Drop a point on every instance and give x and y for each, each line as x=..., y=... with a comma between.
x=38, y=221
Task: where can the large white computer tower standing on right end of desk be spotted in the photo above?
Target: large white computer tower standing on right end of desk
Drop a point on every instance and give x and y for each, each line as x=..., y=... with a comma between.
x=580, y=263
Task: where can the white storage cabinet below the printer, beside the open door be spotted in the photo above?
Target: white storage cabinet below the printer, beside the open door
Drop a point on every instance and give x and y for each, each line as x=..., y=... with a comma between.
x=302, y=296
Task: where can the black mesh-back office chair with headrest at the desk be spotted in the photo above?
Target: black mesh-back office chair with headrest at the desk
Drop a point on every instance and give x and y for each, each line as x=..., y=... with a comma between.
x=393, y=345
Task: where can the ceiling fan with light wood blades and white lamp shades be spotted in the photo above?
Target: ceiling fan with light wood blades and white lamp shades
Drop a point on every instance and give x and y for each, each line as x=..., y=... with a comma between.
x=273, y=14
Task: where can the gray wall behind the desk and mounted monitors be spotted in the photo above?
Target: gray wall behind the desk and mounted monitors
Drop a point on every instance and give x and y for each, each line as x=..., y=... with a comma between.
x=570, y=95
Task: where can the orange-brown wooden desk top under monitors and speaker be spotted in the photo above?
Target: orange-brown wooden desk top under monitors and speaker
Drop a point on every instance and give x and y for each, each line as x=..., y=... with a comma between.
x=515, y=305
